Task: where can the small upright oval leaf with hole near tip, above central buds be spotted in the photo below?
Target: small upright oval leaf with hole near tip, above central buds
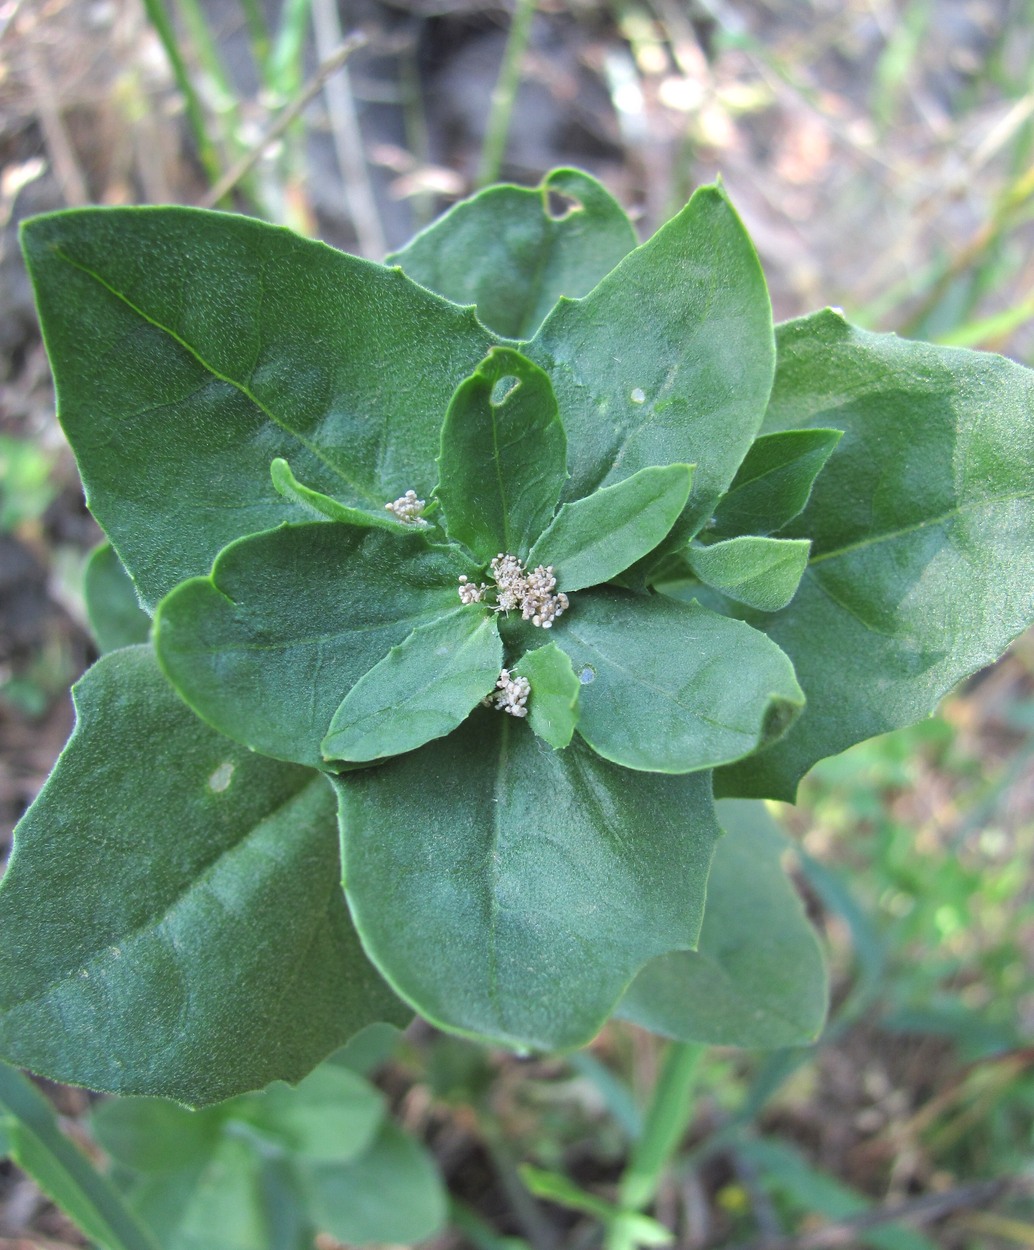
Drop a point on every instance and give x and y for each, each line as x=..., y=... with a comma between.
x=503, y=457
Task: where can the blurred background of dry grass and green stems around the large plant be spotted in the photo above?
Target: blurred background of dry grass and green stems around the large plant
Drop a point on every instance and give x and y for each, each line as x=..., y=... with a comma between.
x=882, y=154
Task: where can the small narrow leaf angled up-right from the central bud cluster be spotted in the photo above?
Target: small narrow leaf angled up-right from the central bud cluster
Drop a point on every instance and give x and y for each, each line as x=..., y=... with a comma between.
x=596, y=538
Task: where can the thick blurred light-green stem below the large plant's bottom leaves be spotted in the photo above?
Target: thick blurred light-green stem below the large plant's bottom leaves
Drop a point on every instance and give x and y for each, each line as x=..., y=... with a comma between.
x=668, y=1117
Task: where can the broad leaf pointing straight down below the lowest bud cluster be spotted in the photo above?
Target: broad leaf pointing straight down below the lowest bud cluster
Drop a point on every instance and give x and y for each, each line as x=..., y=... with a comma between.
x=527, y=904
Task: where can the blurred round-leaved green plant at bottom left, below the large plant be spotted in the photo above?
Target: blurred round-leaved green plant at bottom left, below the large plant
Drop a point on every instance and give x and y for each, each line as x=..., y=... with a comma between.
x=274, y=1168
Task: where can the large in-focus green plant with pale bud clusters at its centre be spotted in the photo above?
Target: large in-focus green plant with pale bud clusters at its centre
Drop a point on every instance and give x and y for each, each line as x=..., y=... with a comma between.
x=661, y=552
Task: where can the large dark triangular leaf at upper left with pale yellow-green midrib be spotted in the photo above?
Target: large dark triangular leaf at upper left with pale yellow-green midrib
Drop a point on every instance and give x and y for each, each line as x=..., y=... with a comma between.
x=191, y=349
